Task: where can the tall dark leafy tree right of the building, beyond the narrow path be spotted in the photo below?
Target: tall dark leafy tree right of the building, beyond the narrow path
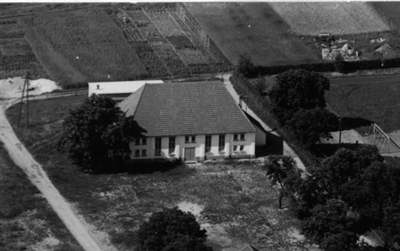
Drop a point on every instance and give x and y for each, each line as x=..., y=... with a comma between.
x=298, y=102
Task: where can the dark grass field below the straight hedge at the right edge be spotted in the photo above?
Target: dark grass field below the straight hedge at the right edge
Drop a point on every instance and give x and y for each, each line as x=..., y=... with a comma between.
x=372, y=98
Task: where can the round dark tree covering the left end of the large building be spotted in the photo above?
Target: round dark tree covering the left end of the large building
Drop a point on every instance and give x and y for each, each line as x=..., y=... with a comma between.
x=98, y=133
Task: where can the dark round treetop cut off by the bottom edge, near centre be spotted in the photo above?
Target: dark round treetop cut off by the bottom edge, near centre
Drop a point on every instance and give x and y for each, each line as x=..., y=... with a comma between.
x=171, y=230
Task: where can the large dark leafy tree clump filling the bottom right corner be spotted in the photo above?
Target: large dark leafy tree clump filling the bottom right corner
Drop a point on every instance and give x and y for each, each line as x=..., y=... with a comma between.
x=366, y=187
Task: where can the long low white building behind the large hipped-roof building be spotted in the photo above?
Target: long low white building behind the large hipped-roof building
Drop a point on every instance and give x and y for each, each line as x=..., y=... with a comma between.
x=118, y=90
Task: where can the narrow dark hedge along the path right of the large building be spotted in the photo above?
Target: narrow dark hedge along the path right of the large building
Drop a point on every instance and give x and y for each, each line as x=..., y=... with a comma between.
x=260, y=106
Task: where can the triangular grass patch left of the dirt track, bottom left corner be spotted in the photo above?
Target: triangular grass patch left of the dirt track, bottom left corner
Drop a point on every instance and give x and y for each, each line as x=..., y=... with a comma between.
x=27, y=222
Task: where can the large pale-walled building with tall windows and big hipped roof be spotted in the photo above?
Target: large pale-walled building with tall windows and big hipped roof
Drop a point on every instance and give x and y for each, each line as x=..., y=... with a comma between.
x=193, y=121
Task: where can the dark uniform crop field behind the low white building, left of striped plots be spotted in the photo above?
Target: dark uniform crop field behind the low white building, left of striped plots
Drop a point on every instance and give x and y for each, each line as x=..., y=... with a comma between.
x=82, y=46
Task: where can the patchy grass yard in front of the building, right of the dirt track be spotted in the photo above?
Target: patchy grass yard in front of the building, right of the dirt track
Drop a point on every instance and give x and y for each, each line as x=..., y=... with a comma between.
x=238, y=205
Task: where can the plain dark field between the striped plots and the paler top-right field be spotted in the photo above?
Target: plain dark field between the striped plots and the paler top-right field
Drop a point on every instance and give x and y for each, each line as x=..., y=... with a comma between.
x=251, y=28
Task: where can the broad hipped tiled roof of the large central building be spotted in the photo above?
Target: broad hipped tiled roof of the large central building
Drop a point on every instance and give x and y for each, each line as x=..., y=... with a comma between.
x=189, y=108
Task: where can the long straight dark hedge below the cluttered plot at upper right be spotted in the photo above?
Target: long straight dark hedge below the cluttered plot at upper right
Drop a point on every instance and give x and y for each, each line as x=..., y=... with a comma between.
x=330, y=66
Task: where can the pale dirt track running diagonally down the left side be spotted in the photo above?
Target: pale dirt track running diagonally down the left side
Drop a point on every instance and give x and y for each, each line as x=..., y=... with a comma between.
x=38, y=177
